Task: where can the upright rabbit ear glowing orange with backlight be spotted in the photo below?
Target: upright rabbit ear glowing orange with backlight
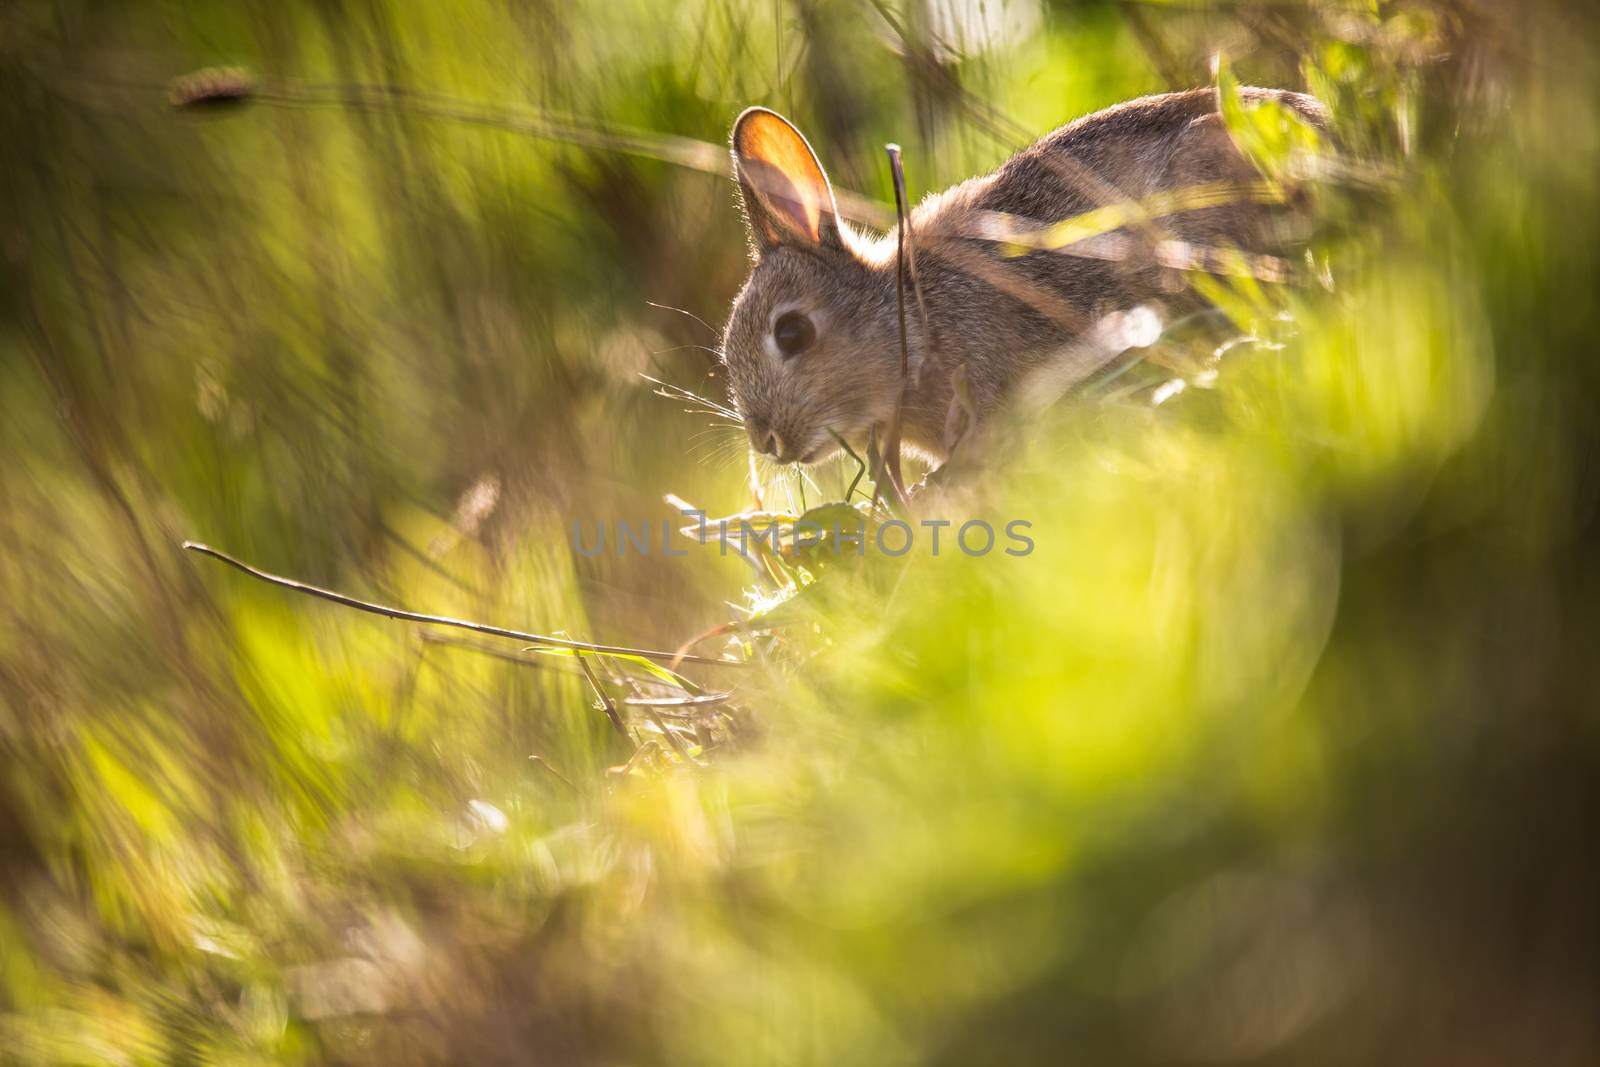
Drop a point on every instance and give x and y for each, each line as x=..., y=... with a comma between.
x=786, y=194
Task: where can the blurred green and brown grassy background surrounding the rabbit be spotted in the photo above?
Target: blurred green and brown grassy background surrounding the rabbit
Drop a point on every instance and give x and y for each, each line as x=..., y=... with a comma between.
x=1281, y=748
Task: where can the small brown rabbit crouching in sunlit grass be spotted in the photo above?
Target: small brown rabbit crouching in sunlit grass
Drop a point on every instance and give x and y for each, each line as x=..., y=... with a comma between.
x=814, y=346
